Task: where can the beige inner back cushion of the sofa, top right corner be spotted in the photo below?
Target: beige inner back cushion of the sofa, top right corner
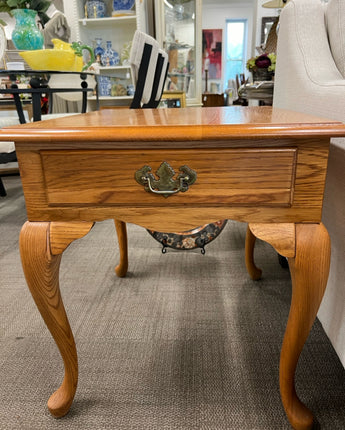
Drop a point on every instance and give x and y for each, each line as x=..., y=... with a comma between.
x=335, y=19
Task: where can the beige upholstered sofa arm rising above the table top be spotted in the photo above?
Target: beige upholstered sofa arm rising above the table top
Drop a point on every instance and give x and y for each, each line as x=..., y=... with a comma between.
x=307, y=79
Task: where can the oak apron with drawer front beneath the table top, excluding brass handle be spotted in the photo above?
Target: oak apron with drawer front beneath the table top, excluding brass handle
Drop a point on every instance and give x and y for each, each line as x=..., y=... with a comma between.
x=256, y=183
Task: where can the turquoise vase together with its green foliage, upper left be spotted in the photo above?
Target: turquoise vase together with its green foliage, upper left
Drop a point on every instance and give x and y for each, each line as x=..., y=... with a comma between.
x=26, y=34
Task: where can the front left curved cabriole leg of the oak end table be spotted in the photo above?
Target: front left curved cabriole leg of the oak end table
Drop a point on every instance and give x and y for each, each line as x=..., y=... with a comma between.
x=41, y=247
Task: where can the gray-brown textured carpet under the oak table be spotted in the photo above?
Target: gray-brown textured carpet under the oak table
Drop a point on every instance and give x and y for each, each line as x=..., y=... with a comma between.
x=186, y=341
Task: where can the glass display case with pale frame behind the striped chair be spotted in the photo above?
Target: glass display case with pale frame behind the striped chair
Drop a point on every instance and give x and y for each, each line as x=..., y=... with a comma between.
x=178, y=31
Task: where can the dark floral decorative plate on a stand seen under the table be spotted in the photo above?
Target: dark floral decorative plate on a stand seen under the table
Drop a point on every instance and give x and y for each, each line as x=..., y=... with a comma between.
x=191, y=239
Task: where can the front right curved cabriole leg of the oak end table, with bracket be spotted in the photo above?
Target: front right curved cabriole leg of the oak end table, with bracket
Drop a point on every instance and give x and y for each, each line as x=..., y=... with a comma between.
x=309, y=266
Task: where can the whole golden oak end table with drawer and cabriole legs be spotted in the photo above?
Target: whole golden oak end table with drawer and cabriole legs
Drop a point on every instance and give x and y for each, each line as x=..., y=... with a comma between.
x=263, y=166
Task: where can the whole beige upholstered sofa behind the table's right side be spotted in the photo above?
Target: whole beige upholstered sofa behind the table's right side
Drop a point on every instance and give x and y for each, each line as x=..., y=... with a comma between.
x=310, y=78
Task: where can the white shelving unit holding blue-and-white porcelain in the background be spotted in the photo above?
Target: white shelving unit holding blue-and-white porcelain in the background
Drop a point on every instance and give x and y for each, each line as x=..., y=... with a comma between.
x=118, y=29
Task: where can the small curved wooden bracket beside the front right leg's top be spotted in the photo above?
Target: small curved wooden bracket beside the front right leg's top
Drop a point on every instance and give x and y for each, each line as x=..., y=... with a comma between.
x=280, y=236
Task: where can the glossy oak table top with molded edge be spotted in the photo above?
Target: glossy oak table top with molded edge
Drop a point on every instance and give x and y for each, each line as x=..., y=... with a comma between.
x=189, y=124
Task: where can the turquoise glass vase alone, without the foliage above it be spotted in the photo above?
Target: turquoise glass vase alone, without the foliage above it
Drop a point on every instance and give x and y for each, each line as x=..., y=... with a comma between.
x=26, y=35
